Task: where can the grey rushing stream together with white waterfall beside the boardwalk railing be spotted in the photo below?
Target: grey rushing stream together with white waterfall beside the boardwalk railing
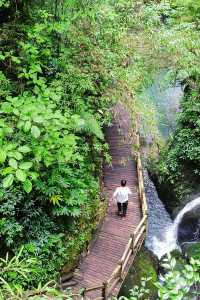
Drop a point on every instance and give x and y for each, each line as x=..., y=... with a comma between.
x=162, y=239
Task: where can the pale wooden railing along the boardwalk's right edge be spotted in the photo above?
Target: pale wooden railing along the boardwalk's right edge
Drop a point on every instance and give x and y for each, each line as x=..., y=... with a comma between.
x=135, y=241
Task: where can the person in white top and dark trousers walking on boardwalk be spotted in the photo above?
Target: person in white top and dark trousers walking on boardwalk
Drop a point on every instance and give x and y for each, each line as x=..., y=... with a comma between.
x=120, y=195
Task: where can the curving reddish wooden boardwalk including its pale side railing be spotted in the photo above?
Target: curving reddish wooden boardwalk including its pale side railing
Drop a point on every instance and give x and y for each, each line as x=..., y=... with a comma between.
x=102, y=271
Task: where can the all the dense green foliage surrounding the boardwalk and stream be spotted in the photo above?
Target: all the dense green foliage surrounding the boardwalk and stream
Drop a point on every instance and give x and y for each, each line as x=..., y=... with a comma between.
x=63, y=64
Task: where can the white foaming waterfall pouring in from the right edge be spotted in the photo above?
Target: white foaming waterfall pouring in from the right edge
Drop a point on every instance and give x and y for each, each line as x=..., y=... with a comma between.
x=170, y=236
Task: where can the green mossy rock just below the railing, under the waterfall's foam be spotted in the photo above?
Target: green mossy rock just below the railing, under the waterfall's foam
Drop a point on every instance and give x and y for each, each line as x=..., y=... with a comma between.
x=144, y=266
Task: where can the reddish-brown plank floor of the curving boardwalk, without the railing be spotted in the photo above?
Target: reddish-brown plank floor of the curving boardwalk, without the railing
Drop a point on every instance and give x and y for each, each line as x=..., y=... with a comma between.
x=115, y=231
